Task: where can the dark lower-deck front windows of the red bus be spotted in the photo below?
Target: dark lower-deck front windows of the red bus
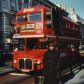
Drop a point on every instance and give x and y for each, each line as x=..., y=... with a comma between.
x=29, y=44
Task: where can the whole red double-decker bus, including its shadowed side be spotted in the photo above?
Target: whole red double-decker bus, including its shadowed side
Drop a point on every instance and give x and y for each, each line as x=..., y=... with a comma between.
x=34, y=28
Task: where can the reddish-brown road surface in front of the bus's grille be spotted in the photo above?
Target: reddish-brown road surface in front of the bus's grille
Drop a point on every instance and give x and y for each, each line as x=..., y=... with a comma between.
x=14, y=78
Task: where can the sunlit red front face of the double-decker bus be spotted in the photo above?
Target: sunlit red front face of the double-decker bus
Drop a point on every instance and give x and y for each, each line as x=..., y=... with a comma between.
x=29, y=43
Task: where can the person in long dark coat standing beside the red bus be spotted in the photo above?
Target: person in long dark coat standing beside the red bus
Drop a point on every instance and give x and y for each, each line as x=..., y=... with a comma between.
x=50, y=64
